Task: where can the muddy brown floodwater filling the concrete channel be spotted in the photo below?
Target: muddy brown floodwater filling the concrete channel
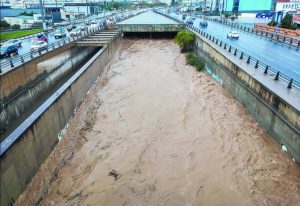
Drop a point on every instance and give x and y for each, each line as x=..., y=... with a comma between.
x=153, y=131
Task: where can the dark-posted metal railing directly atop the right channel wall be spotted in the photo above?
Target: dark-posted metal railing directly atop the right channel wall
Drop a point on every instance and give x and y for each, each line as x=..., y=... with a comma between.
x=259, y=65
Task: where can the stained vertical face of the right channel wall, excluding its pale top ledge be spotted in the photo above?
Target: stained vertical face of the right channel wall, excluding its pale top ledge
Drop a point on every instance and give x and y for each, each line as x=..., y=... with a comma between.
x=280, y=119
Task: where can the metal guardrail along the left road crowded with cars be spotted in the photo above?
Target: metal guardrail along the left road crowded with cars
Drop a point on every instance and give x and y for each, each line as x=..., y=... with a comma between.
x=20, y=59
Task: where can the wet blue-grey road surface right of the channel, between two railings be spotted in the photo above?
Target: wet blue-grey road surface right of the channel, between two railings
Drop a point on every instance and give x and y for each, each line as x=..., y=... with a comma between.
x=280, y=56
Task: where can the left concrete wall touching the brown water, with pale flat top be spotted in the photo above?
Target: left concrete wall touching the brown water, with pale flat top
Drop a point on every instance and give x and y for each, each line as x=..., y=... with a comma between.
x=23, y=155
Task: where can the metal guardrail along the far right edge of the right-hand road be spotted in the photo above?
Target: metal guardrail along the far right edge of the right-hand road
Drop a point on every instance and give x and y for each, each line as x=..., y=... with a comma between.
x=267, y=34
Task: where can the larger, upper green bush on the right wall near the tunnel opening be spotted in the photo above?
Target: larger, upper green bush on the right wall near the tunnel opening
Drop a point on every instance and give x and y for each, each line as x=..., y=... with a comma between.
x=185, y=39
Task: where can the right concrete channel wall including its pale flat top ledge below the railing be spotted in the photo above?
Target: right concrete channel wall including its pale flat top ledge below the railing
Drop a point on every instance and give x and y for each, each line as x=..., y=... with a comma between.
x=274, y=106
